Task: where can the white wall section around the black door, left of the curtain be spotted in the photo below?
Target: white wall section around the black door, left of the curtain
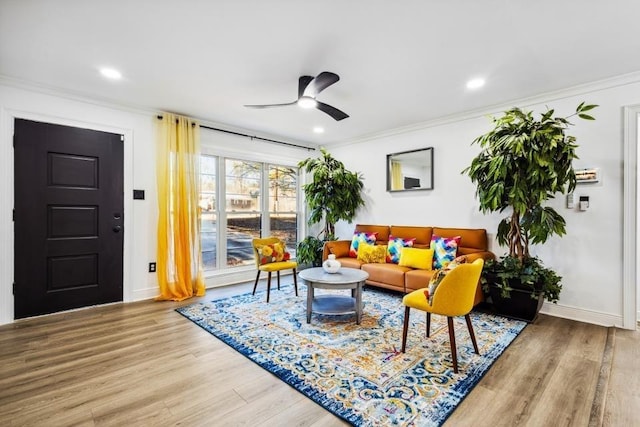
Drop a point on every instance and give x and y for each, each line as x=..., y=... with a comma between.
x=138, y=163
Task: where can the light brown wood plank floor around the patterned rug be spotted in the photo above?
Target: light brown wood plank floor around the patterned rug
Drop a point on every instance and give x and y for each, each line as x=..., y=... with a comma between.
x=143, y=364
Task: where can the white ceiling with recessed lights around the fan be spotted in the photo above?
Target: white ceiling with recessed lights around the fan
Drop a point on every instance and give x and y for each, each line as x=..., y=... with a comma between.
x=400, y=63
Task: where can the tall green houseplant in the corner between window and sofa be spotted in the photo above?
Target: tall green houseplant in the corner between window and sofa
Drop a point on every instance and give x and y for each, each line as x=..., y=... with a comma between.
x=333, y=194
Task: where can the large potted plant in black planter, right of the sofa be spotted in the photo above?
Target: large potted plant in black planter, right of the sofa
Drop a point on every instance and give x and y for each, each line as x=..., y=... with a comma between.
x=524, y=161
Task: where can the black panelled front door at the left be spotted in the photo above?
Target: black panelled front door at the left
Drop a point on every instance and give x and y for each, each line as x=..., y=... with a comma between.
x=68, y=217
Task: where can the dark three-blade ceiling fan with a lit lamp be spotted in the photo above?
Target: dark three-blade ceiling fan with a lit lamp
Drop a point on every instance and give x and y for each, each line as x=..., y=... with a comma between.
x=308, y=88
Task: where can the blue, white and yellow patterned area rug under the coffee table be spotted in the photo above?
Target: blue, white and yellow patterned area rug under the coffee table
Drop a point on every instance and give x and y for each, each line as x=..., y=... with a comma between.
x=357, y=371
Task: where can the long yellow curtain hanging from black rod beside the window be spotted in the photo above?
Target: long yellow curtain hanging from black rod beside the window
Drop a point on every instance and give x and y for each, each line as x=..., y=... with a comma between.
x=179, y=264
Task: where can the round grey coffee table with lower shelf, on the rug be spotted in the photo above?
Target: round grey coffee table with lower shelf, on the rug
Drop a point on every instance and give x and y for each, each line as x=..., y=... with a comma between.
x=345, y=278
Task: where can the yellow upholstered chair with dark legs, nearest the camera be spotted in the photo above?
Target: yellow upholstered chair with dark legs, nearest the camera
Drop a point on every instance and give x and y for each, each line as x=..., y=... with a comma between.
x=453, y=297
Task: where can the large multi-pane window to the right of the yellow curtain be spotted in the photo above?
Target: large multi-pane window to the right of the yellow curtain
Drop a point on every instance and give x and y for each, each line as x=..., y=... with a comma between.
x=242, y=209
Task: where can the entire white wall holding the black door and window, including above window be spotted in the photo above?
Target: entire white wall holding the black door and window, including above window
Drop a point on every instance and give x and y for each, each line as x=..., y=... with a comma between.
x=139, y=158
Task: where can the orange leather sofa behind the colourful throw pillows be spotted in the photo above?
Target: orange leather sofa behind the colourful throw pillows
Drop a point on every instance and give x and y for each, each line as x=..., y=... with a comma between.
x=473, y=244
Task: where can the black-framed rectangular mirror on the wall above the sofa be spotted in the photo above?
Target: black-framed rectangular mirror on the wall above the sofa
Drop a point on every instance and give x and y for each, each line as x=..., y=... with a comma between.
x=410, y=170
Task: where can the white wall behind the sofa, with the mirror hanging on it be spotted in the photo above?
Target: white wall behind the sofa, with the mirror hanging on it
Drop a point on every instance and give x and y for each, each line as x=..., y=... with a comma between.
x=589, y=257
